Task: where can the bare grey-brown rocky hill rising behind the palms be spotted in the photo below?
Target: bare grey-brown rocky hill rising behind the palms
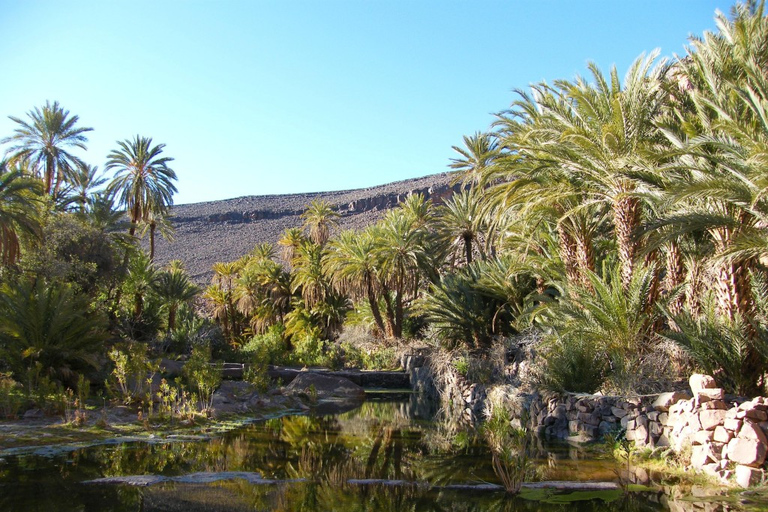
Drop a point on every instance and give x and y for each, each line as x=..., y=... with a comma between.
x=225, y=230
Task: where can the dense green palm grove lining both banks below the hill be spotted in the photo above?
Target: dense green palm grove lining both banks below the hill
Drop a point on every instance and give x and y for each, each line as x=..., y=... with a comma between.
x=620, y=219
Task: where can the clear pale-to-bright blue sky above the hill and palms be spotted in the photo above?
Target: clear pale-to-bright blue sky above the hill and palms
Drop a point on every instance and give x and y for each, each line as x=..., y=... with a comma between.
x=268, y=97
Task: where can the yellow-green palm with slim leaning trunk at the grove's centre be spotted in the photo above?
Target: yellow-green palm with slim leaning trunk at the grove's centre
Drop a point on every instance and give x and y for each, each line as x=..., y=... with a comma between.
x=351, y=264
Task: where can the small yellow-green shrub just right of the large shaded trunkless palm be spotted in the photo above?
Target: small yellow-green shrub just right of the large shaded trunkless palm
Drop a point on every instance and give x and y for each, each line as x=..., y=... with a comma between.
x=132, y=374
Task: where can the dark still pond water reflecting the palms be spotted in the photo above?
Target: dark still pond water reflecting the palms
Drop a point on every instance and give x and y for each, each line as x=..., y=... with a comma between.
x=313, y=459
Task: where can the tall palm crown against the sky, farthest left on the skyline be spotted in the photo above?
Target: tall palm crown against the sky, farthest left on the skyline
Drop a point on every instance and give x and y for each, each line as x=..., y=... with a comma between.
x=44, y=140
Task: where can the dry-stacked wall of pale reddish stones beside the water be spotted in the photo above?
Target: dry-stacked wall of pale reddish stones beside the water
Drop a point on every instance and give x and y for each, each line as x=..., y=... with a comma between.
x=726, y=438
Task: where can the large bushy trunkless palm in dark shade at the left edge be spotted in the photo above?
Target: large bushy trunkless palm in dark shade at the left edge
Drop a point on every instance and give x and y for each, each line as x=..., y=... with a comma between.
x=47, y=325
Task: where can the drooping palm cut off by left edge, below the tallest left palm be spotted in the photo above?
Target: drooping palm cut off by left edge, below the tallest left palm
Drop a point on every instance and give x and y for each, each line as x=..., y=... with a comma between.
x=18, y=212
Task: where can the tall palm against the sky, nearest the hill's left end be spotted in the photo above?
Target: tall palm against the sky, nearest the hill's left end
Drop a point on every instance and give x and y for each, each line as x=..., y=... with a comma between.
x=143, y=182
